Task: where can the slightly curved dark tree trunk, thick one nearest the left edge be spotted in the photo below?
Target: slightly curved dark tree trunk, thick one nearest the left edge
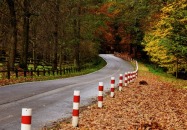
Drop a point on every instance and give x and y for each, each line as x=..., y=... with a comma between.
x=13, y=46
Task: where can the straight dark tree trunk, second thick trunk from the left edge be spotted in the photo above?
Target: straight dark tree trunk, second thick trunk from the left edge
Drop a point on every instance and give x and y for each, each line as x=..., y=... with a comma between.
x=24, y=56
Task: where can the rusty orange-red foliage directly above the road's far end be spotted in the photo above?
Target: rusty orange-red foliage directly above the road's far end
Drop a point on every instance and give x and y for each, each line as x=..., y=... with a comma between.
x=113, y=33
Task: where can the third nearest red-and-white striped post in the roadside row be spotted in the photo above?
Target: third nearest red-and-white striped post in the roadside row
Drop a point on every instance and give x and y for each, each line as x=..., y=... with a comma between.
x=100, y=95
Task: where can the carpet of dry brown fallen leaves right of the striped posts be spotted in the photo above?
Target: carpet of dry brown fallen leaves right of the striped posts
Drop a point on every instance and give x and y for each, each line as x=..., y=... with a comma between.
x=156, y=106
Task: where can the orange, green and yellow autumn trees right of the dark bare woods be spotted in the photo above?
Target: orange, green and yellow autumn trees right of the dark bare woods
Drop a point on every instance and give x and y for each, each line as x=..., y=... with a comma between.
x=149, y=29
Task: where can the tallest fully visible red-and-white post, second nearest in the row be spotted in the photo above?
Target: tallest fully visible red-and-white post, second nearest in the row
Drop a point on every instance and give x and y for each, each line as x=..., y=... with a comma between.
x=75, y=113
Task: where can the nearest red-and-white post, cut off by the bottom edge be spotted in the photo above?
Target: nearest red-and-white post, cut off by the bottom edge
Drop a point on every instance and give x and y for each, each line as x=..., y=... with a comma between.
x=26, y=119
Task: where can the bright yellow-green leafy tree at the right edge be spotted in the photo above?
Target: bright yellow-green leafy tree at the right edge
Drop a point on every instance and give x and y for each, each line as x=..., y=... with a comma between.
x=169, y=33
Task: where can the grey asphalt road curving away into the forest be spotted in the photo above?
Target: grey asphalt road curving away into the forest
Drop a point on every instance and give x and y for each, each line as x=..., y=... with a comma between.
x=52, y=100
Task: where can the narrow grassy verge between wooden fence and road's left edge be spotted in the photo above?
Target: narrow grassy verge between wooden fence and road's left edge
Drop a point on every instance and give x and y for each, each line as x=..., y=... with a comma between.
x=98, y=64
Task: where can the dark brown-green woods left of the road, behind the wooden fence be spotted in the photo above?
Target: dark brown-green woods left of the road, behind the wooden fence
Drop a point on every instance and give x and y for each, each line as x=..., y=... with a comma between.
x=53, y=31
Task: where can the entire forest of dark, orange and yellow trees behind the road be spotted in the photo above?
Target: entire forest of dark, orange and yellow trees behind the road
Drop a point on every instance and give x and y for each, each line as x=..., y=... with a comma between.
x=75, y=31
